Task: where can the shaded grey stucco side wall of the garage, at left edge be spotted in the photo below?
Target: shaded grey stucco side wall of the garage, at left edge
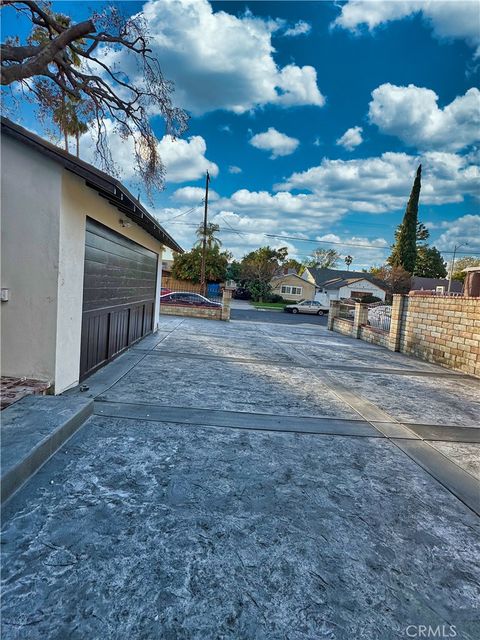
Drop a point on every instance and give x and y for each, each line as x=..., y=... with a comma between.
x=30, y=204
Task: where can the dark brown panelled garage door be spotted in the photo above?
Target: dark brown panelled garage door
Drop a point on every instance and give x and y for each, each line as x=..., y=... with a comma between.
x=118, y=295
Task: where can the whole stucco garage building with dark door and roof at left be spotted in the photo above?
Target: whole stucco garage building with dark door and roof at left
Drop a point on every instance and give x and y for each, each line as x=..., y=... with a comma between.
x=81, y=261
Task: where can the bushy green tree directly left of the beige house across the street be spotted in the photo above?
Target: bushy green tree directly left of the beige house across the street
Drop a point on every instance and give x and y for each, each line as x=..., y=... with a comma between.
x=257, y=269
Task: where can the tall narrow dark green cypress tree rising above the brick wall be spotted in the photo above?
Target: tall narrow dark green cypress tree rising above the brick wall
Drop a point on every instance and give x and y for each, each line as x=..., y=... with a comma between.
x=404, y=253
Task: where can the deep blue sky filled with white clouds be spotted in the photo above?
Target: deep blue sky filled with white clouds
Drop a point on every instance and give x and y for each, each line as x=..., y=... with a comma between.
x=312, y=118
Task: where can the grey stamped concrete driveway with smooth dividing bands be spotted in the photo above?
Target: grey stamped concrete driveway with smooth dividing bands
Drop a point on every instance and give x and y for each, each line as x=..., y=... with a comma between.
x=254, y=480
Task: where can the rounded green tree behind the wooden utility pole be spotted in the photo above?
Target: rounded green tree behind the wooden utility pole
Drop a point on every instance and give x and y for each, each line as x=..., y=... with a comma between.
x=187, y=266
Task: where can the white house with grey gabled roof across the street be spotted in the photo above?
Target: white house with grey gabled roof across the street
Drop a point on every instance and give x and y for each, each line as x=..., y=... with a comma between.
x=334, y=284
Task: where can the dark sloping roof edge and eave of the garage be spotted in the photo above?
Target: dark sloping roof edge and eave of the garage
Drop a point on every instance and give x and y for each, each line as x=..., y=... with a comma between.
x=109, y=188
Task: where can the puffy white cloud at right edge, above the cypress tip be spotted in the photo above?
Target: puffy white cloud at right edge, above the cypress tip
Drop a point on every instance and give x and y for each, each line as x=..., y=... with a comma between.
x=412, y=114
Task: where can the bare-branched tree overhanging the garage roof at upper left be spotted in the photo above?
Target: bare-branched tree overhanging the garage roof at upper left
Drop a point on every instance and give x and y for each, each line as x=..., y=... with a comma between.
x=72, y=58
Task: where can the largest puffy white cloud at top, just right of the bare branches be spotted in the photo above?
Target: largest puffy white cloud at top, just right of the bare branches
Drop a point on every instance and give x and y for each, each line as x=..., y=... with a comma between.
x=221, y=61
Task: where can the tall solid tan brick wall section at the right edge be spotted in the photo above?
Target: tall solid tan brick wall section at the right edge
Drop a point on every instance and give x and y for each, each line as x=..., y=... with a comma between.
x=443, y=330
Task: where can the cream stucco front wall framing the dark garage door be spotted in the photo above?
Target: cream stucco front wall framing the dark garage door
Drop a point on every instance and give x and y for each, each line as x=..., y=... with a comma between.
x=79, y=201
